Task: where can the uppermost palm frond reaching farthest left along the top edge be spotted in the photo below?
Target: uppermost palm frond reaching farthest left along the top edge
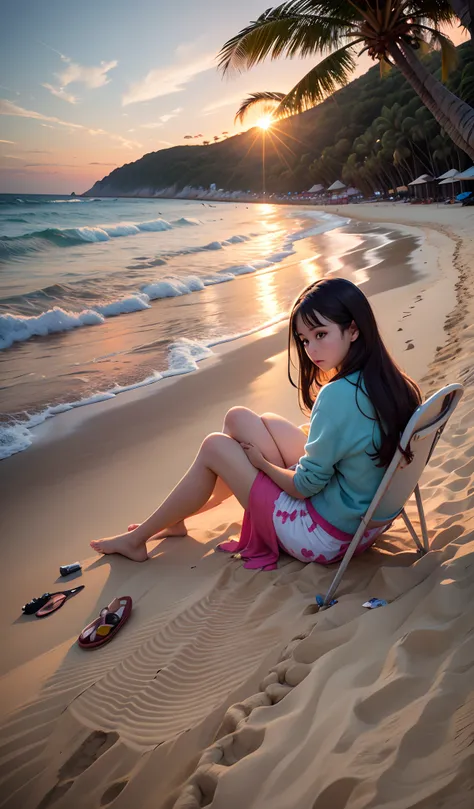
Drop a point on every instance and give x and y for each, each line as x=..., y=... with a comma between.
x=282, y=31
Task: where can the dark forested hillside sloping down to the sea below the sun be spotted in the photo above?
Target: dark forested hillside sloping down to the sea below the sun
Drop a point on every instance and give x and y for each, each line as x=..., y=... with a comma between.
x=374, y=134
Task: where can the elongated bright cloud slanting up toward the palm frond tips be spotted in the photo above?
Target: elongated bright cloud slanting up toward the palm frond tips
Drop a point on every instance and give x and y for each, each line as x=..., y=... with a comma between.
x=164, y=81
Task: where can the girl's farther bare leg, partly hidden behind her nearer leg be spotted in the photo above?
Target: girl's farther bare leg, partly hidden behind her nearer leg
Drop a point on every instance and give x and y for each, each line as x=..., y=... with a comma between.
x=279, y=441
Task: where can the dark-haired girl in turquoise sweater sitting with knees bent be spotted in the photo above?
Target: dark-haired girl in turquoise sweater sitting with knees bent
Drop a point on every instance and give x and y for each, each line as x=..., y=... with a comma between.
x=302, y=491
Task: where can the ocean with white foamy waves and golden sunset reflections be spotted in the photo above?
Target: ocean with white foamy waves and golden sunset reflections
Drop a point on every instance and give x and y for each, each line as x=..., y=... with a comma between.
x=100, y=296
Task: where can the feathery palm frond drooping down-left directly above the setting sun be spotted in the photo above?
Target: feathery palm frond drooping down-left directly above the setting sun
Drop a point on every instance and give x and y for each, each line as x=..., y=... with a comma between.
x=322, y=80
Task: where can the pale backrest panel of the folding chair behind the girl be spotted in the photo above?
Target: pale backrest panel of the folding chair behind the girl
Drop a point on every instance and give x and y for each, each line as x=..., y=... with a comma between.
x=421, y=435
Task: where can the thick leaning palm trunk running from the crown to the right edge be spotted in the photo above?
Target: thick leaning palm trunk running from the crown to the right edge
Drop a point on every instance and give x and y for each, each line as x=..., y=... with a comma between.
x=453, y=115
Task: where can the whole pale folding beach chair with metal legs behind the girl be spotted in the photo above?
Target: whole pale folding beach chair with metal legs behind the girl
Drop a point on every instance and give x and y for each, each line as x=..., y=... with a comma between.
x=401, y=479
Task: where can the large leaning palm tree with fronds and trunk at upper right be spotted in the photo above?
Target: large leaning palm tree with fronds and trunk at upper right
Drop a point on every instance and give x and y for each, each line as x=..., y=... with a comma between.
x=391, y=31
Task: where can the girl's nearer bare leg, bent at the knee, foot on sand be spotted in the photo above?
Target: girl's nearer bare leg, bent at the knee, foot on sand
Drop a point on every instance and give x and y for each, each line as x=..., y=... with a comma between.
x=219, y=455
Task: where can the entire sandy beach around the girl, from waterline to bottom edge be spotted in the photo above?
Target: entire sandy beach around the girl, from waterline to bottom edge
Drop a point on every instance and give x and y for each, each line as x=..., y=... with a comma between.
x=227, y=687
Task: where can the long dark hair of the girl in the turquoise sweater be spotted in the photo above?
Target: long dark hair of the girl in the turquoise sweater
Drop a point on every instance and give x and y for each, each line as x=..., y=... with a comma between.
x=392, y=393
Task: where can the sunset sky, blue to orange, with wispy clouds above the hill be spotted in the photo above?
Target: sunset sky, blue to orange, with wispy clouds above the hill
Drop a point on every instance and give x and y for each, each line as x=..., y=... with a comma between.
x=86, y=87
